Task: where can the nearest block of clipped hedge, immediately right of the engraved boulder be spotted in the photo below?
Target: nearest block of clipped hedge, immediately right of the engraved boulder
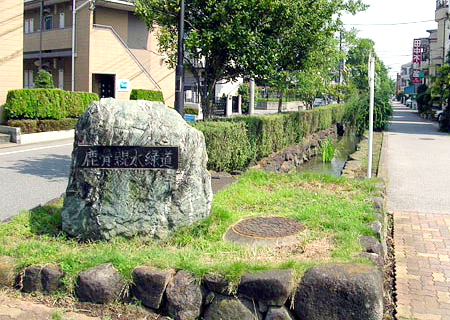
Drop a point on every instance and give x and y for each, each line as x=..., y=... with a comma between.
x=226, y=144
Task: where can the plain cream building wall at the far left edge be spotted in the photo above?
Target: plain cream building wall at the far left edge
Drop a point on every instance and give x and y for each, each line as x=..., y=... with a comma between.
x=11, y=48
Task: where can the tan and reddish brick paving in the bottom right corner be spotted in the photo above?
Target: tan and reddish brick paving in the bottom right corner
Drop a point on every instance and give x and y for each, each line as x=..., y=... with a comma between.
x=422, y=249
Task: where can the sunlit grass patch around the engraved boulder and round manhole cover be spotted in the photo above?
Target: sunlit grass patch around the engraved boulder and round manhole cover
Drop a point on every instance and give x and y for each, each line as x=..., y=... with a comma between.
x=334, y=210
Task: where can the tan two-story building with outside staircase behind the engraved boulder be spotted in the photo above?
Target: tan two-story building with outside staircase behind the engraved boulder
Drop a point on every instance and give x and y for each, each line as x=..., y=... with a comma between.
x=114, y=52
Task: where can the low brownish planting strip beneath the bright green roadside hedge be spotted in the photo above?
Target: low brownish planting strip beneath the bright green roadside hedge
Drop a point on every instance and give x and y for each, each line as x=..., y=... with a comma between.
x=33, y=126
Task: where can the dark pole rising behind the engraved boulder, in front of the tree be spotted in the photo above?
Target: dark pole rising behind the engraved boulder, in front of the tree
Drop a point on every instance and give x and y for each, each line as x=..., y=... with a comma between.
x=179, y=81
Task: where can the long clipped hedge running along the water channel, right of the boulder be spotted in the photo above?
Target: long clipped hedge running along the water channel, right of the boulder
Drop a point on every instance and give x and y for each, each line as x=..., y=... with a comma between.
x=232, y=143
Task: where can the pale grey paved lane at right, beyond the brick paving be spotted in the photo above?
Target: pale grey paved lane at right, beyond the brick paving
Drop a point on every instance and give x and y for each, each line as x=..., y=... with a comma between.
x=417, y=163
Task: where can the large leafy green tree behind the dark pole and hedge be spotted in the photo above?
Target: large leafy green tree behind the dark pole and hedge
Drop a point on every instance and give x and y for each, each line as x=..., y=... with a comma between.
x=227, y=39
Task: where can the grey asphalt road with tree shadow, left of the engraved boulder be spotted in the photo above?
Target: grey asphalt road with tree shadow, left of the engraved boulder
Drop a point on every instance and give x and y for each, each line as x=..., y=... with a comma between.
x=32, y=175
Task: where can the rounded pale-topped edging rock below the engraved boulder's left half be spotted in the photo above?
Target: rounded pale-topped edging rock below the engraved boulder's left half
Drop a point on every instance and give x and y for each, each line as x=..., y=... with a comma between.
x=100, y=284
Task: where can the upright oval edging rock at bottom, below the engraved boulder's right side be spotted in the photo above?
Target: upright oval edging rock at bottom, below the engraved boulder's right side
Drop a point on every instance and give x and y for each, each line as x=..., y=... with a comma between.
x=184, y=297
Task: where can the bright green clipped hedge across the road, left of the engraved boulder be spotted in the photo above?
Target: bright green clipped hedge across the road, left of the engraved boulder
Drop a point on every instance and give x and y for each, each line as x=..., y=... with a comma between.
x=46, y=103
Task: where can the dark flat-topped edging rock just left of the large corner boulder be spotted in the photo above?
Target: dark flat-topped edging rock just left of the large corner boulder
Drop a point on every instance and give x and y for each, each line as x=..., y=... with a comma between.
x=272, y=287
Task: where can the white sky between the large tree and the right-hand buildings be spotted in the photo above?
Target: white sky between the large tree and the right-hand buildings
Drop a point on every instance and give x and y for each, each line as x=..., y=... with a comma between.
x=393, y=43
